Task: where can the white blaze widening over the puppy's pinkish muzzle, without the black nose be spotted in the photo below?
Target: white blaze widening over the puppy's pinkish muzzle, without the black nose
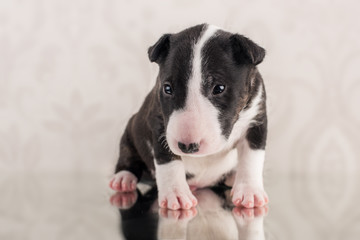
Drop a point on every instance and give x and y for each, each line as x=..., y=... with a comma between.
x=198, y=122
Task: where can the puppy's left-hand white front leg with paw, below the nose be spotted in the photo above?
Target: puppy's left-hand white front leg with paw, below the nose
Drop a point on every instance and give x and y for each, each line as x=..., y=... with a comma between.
x=174, y=192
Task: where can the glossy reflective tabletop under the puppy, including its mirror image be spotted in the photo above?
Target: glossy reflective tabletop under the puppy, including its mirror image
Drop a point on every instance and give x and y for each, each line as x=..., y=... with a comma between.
x=80, y=206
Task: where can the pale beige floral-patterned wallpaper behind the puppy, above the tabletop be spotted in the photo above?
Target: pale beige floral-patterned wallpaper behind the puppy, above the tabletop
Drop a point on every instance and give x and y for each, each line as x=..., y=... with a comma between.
x=73, y=72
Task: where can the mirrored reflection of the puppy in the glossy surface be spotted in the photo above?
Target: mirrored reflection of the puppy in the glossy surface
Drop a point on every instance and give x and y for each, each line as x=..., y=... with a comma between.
x=212, y=219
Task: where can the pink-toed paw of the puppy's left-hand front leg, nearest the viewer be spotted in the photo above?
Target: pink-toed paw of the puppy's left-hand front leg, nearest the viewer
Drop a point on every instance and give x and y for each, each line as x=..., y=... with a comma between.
x=177, y=198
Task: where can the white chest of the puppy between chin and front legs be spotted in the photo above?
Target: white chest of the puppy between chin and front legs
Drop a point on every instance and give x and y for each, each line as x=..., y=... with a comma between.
x=206, y=171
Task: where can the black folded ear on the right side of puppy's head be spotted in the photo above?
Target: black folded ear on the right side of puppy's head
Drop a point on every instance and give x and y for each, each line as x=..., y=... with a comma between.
x=246, y=51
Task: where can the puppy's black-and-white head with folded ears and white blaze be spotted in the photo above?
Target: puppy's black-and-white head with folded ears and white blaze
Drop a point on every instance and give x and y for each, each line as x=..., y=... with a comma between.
x=204, y=82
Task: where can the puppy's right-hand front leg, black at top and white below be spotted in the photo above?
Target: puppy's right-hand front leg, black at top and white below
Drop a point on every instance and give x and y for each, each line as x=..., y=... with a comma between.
x=248, y=189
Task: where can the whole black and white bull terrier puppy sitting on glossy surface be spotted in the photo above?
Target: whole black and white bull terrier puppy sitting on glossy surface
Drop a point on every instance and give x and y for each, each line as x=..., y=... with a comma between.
x=203, y=123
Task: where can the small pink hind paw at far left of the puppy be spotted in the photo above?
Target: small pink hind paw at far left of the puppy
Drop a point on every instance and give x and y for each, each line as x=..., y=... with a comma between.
x=123, y=181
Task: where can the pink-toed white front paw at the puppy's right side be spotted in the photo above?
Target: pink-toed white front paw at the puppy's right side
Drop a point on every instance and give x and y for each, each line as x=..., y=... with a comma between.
x=249, y=195
